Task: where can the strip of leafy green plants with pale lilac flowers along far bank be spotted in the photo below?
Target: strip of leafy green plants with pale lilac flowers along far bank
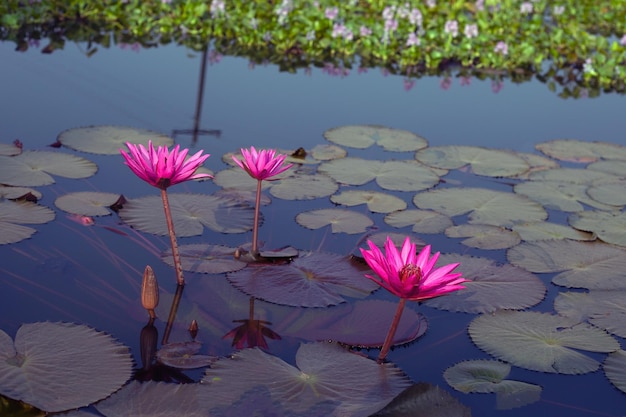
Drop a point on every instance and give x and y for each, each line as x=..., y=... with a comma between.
x=575, y=46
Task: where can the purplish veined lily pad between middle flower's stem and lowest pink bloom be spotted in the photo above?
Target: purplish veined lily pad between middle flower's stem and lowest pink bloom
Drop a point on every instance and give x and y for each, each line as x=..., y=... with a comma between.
x=312, y=280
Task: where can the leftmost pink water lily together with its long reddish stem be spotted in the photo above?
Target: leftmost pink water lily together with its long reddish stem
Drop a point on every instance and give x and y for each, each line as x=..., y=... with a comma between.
x=162, y=168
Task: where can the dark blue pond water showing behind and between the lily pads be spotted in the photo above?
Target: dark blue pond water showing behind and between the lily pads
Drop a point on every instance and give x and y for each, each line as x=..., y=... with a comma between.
x=71, y=273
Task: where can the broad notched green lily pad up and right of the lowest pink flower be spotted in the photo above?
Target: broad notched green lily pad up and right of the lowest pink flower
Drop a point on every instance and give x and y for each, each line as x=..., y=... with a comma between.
x=483, y=206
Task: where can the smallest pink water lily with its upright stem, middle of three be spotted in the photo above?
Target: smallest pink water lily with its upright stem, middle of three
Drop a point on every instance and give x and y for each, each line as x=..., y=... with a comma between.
x=261, y=165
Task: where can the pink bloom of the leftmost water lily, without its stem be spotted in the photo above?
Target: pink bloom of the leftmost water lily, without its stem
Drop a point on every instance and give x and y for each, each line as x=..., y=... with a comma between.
x=161, y=168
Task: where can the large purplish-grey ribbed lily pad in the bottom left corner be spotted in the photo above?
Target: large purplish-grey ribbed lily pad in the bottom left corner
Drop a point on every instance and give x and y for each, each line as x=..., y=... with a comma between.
x=60, y=366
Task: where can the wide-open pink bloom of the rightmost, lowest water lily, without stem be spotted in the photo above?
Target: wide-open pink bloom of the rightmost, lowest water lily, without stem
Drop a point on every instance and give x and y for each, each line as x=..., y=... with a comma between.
x=408, y=275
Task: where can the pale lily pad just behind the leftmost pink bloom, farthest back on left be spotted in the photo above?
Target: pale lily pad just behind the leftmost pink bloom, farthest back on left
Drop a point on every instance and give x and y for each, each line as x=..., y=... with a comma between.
x=107, y=140
